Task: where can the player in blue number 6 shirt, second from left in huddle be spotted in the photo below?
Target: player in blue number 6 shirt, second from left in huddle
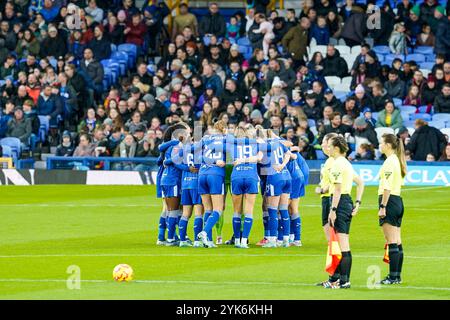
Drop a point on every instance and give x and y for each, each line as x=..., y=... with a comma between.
x=190, y=198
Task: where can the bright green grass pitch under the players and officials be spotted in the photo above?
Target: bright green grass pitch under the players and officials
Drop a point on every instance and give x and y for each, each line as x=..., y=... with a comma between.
x=46, y=229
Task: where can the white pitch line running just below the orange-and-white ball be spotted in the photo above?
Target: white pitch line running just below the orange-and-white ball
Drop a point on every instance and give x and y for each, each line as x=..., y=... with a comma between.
x=239, y=283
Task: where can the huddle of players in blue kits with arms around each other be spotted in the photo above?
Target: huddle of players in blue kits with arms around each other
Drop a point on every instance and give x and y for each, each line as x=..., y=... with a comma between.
x=192, y=176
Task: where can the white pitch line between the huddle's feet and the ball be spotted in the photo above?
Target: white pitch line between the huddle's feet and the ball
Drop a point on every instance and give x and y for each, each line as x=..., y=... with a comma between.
x=280, y=255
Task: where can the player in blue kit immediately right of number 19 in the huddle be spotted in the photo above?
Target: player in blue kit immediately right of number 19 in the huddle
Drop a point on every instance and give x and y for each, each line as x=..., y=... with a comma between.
x=278, y=187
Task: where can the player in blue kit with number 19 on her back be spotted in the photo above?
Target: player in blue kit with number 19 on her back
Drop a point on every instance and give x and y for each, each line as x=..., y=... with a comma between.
x=244, y=183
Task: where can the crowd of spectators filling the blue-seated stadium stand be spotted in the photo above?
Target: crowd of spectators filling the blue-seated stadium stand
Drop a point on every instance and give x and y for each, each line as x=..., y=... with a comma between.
x=106, y=78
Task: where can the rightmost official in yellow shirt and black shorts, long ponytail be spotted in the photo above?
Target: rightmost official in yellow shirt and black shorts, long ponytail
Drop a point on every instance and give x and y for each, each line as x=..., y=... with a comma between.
x=392, y=175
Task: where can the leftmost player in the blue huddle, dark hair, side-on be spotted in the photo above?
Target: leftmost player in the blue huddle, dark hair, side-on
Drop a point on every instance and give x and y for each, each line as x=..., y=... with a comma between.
x=171, y=181
